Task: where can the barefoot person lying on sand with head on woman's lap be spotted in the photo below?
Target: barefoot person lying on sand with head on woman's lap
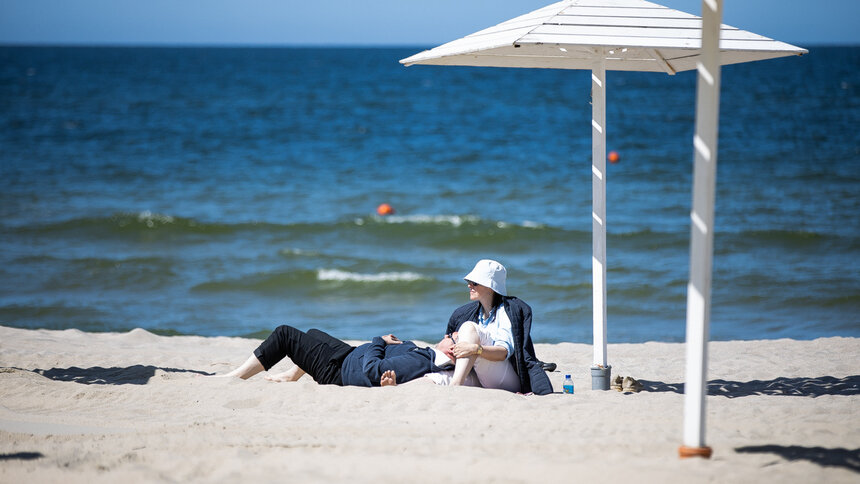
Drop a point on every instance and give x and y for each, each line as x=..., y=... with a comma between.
x=384, y=361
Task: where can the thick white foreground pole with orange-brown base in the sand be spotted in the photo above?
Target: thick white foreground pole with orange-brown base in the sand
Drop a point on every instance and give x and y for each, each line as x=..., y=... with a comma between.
x=702, y=233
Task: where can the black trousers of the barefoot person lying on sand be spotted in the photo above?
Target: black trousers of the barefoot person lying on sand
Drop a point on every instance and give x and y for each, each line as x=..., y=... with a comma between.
x=317, y=353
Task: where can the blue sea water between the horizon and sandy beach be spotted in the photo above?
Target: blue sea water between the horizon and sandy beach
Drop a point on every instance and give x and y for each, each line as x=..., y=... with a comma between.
x=222, y=191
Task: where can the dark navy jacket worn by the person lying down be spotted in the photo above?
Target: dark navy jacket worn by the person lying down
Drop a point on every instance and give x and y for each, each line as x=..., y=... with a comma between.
x=366, y=364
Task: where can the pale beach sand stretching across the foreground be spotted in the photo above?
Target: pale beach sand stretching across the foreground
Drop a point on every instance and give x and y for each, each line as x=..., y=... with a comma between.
x=125, y=408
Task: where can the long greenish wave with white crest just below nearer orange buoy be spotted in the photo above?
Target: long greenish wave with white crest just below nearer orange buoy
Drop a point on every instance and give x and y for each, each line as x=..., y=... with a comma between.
x=439, y=231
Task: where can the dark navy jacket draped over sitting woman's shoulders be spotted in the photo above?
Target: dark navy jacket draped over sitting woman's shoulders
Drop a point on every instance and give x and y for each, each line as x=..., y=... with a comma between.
x=528, y=367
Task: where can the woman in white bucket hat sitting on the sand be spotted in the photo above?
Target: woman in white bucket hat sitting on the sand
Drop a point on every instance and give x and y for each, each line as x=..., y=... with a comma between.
x=493, y=335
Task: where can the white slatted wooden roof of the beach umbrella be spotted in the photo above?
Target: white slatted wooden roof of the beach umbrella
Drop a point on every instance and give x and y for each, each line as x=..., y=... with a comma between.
x=632, y=35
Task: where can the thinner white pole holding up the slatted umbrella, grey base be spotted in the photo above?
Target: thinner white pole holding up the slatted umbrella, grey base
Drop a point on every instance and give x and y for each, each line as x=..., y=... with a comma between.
x=600, y=379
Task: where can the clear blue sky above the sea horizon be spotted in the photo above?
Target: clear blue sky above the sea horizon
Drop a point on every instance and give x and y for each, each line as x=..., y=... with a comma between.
x=361, y=23
